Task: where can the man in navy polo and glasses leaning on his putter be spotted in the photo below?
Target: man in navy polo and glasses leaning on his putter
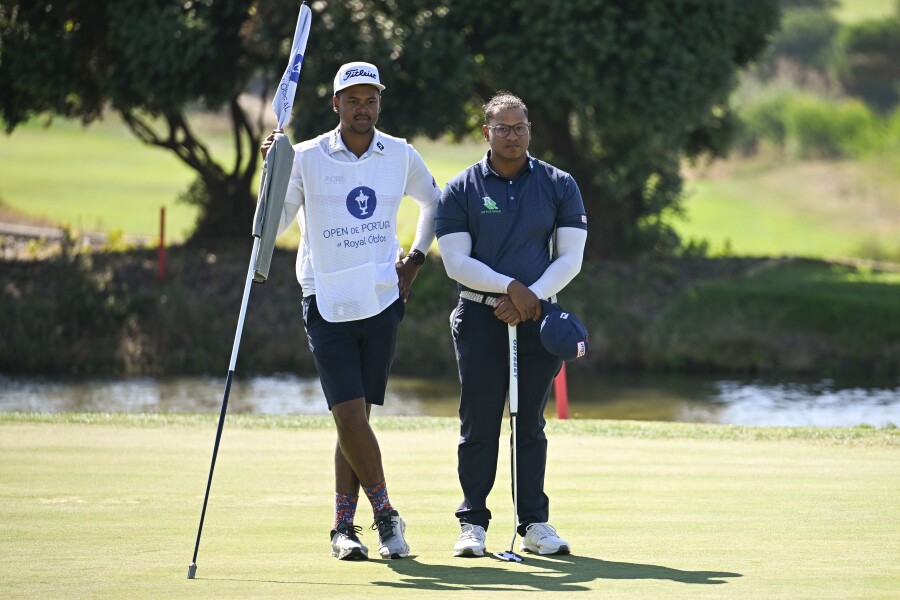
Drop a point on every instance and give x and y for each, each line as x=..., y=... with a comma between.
x=494, y=223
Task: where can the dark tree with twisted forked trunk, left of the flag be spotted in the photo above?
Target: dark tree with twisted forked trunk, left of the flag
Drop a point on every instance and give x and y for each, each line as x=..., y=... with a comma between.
x=150, y=61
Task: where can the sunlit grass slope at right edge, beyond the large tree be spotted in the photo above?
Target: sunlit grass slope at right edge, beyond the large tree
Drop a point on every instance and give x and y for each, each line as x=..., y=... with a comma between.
x=817, y=209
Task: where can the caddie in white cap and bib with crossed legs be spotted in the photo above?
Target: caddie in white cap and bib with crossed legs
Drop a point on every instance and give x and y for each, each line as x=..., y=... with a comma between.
x=345, y=190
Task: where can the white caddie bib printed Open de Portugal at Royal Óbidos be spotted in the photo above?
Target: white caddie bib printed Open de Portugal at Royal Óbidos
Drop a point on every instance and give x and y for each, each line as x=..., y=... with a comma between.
x=351, y=221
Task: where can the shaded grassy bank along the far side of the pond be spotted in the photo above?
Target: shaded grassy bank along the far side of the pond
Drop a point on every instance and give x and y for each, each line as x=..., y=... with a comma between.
x=106, y=313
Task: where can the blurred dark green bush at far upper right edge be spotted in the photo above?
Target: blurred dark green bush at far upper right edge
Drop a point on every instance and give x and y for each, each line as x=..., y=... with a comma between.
x=868, y=62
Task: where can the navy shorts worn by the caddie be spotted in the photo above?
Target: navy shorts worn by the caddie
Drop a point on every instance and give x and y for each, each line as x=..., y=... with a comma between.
x=353, y=358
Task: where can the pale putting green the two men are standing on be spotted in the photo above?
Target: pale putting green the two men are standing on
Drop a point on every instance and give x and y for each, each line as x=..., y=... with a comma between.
x=107, y=506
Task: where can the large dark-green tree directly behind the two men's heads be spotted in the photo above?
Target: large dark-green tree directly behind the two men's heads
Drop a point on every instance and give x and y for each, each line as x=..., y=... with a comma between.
x=620, y=93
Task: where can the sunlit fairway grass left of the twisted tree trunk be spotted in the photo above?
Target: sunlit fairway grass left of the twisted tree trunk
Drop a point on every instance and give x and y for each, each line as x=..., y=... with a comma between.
x=99, y=178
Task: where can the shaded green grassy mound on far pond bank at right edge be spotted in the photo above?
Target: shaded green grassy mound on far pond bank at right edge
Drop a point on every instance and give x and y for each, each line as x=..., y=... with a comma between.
x=830, y=310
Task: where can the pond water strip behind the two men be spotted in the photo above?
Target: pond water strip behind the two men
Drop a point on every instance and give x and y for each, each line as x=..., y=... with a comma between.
x=639, y=397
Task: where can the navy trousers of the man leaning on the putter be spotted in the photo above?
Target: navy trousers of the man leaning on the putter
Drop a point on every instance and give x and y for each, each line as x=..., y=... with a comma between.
x=482, y=354
